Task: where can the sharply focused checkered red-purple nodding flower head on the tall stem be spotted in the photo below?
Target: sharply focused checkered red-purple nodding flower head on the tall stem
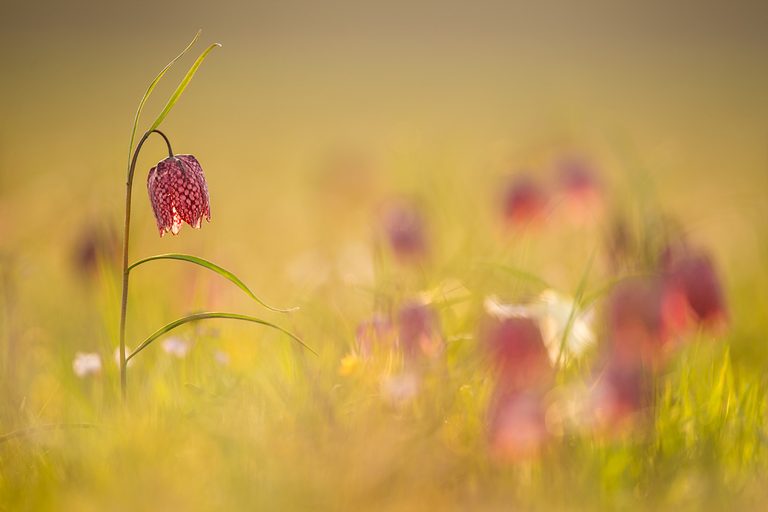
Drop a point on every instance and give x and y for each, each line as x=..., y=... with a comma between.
x=178, y=193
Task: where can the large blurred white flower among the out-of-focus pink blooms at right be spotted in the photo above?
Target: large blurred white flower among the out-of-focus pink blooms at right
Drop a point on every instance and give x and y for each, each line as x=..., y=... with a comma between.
x=552, y=311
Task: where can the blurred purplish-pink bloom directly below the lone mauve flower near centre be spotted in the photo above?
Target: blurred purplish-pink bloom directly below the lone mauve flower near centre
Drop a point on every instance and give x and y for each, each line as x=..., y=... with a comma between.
x=418, y=330
